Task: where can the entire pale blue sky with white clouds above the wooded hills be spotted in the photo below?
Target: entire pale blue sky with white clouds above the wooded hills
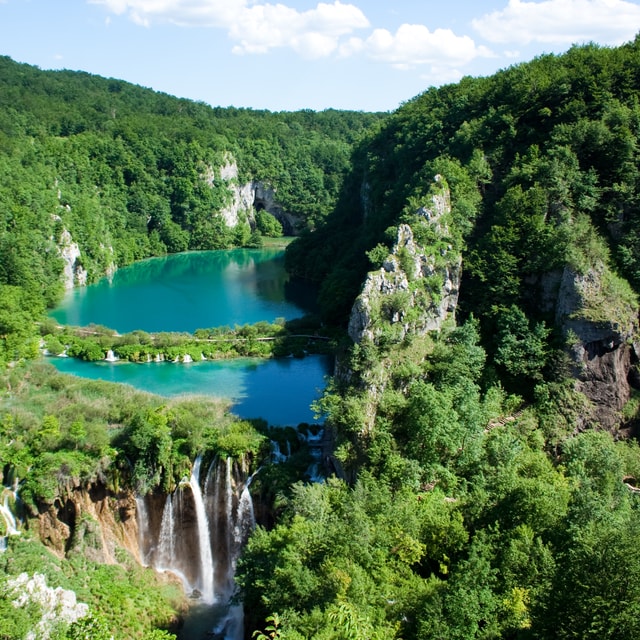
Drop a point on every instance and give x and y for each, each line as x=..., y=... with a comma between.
x=367, y=55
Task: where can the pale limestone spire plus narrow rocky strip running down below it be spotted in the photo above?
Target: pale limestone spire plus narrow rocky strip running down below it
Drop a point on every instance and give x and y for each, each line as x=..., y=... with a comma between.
x=415, y=291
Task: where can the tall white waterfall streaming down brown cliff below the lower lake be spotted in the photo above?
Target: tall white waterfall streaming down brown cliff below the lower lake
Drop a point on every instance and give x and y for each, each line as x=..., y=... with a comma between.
x=199, y=536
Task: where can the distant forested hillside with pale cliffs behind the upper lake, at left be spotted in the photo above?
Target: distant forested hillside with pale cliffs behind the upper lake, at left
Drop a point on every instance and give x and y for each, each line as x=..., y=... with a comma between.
x=97, y=173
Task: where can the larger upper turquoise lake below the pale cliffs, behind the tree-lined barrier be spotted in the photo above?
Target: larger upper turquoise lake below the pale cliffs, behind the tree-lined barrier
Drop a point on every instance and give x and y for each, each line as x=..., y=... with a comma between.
x=189, y=291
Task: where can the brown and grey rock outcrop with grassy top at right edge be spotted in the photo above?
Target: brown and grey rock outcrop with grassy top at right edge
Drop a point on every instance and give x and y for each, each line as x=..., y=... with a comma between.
x=598, y=316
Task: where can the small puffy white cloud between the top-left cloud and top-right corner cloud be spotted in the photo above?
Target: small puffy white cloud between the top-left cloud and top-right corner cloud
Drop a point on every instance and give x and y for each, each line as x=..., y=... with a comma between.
x=415, y=45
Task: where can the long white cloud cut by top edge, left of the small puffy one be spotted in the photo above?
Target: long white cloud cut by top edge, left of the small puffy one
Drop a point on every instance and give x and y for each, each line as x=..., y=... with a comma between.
x=255, y=27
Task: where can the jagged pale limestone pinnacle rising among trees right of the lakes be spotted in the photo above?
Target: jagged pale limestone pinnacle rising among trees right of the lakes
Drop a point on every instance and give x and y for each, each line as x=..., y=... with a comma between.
x=416, y=289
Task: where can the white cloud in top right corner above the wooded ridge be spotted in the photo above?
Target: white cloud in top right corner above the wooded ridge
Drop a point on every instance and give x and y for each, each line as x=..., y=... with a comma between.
x=561, y=22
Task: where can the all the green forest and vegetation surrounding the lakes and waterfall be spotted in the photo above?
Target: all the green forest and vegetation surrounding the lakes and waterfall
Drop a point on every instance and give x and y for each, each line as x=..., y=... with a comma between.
x=478, y=258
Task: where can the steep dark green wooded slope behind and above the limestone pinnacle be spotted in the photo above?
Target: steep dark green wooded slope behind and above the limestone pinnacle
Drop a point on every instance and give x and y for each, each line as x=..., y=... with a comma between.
x=535, y=156
